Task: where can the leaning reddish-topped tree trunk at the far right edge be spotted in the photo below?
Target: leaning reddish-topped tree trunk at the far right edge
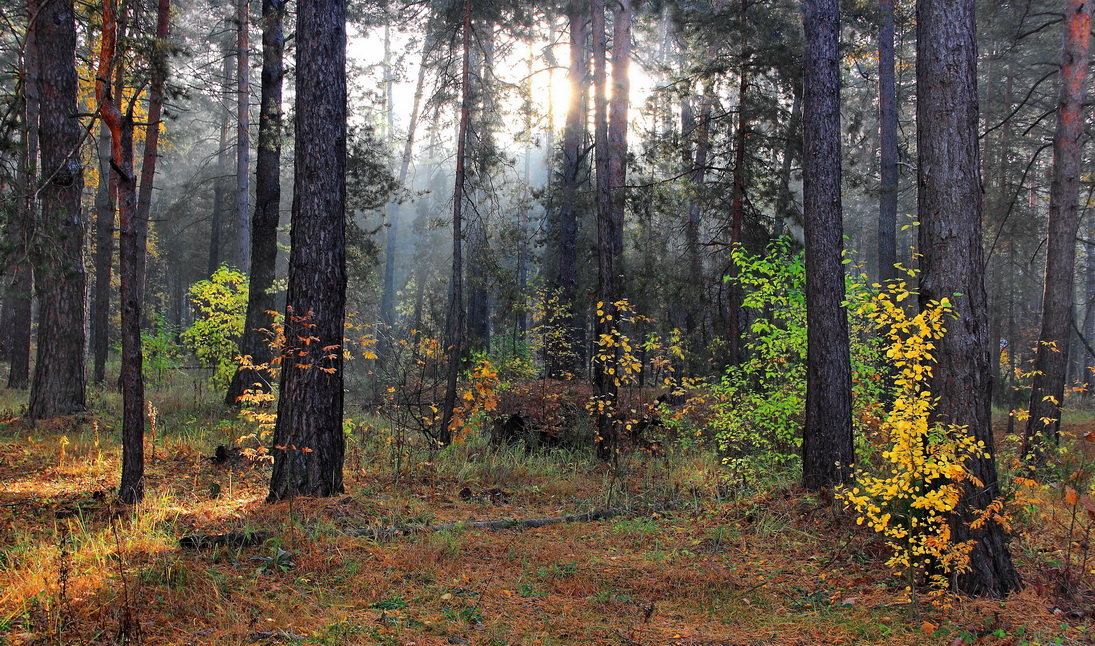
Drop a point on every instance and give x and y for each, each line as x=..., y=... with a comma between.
x=1047, y=393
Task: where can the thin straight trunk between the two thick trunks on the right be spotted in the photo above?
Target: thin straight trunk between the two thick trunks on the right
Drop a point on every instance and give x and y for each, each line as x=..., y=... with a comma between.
x=887, y=128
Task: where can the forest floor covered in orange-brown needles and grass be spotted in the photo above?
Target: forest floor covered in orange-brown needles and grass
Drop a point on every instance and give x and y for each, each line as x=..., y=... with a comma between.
x=720, y=566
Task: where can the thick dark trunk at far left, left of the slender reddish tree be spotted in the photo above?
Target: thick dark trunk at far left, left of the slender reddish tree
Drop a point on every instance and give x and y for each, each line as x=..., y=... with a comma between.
x=59, y=384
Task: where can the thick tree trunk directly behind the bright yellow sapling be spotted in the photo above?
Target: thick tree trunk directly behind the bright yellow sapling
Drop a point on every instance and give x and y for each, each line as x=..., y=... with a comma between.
x=953, y=267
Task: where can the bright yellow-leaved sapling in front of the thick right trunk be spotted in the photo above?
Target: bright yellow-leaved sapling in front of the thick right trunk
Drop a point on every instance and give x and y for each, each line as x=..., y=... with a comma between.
x=912, y=495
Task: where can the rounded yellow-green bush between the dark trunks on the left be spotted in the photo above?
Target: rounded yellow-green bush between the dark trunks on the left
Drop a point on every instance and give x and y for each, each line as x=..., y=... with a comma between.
x=222, y=304
